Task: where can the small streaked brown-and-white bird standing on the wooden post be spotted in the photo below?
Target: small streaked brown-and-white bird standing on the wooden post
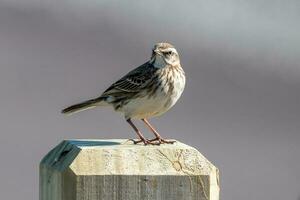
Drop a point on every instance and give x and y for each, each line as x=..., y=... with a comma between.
x=147, y=91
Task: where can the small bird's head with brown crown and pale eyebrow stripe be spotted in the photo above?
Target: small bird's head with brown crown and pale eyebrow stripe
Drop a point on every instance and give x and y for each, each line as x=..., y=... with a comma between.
x=164, y=54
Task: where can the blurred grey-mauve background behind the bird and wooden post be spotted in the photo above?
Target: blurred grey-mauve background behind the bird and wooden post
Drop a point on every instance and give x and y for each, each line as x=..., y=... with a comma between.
x=241, y=106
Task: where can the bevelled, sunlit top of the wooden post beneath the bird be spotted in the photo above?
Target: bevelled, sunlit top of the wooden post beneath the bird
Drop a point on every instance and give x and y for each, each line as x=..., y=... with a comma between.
x=121, y=156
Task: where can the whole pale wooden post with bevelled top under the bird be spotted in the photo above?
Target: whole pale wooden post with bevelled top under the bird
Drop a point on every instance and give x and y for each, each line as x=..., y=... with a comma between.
x=120, y=170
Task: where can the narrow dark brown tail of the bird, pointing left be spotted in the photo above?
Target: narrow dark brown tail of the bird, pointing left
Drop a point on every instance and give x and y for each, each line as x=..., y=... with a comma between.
x=82, y=106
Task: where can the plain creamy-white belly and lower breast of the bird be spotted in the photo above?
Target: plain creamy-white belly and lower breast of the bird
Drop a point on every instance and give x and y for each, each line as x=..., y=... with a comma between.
x=149, y=107
